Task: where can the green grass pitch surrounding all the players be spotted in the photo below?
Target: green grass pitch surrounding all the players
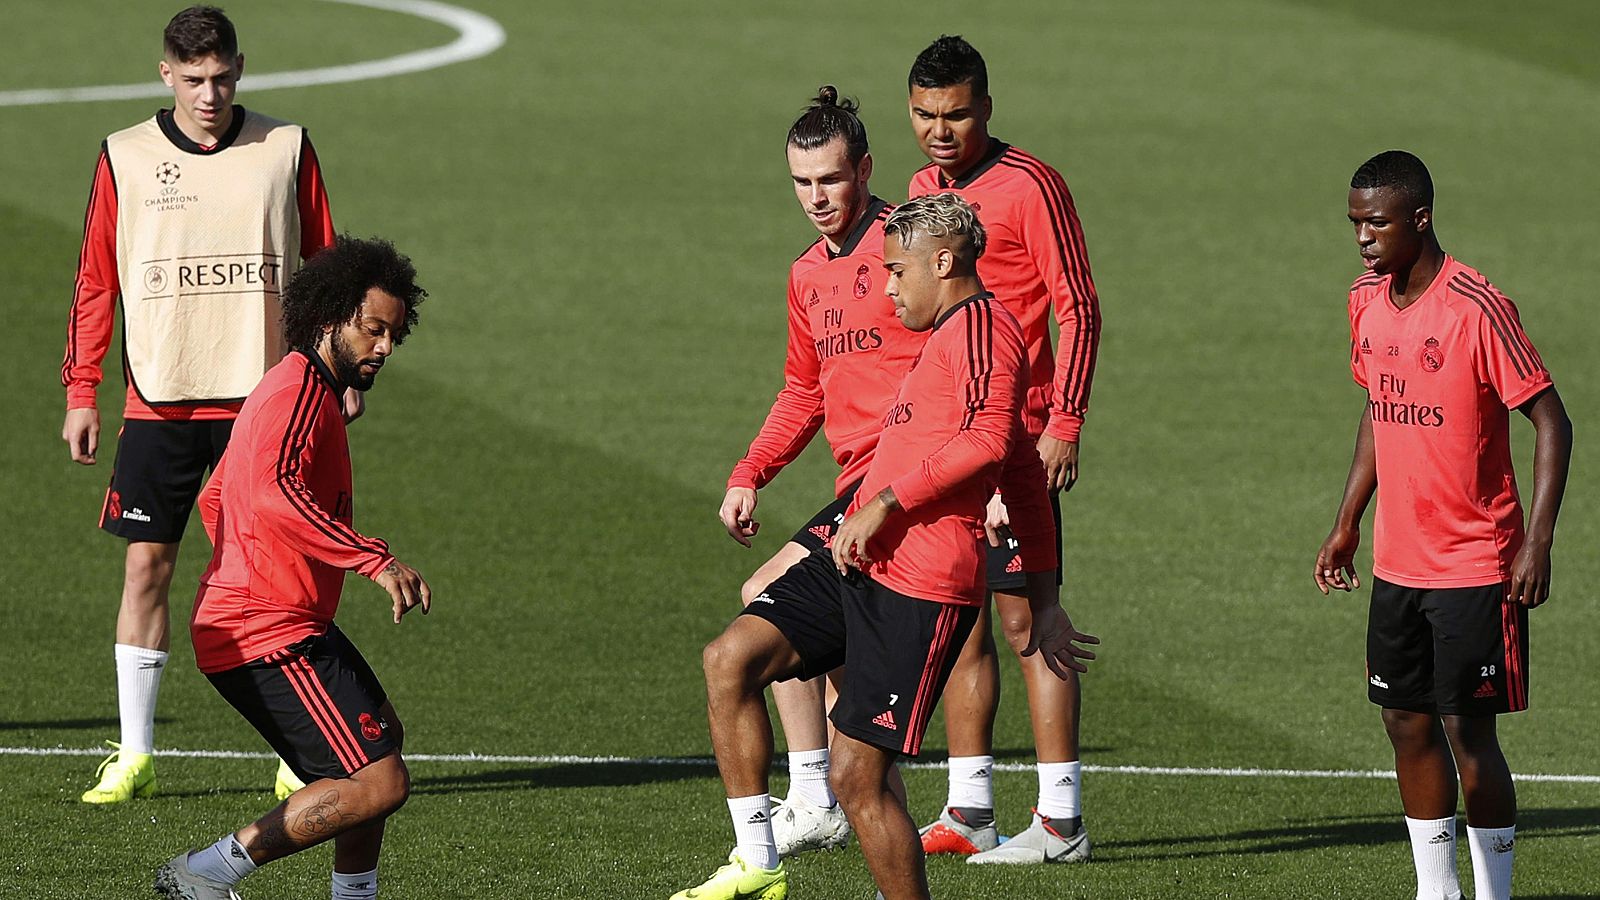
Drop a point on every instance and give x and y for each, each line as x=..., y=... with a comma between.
x=602, y=215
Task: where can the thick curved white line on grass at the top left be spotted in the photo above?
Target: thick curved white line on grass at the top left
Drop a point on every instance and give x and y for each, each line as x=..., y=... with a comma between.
x=476, y=36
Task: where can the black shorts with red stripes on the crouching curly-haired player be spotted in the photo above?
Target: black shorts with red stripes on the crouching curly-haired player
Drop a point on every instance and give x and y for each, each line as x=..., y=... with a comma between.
x=318, y=704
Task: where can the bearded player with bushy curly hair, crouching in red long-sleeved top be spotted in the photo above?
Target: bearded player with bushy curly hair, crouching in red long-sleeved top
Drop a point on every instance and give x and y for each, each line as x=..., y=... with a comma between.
x=279, y=515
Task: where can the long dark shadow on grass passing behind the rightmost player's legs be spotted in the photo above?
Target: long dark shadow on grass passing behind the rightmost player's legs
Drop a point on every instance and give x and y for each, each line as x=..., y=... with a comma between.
x=1332, y=832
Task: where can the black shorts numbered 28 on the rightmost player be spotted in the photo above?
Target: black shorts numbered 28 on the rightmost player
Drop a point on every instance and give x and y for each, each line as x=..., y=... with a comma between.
x=1450, y=651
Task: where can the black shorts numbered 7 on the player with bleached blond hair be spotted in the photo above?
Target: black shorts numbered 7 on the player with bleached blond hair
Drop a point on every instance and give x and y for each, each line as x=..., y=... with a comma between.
x=897, y=651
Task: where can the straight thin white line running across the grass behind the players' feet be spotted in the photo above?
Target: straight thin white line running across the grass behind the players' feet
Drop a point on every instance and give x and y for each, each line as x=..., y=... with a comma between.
x=708, y=763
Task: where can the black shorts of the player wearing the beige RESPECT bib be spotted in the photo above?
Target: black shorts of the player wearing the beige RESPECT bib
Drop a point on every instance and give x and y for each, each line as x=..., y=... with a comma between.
x=161, y=467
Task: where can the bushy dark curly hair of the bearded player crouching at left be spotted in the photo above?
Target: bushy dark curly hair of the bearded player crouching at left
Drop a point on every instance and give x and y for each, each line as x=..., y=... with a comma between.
x=329, y=291
